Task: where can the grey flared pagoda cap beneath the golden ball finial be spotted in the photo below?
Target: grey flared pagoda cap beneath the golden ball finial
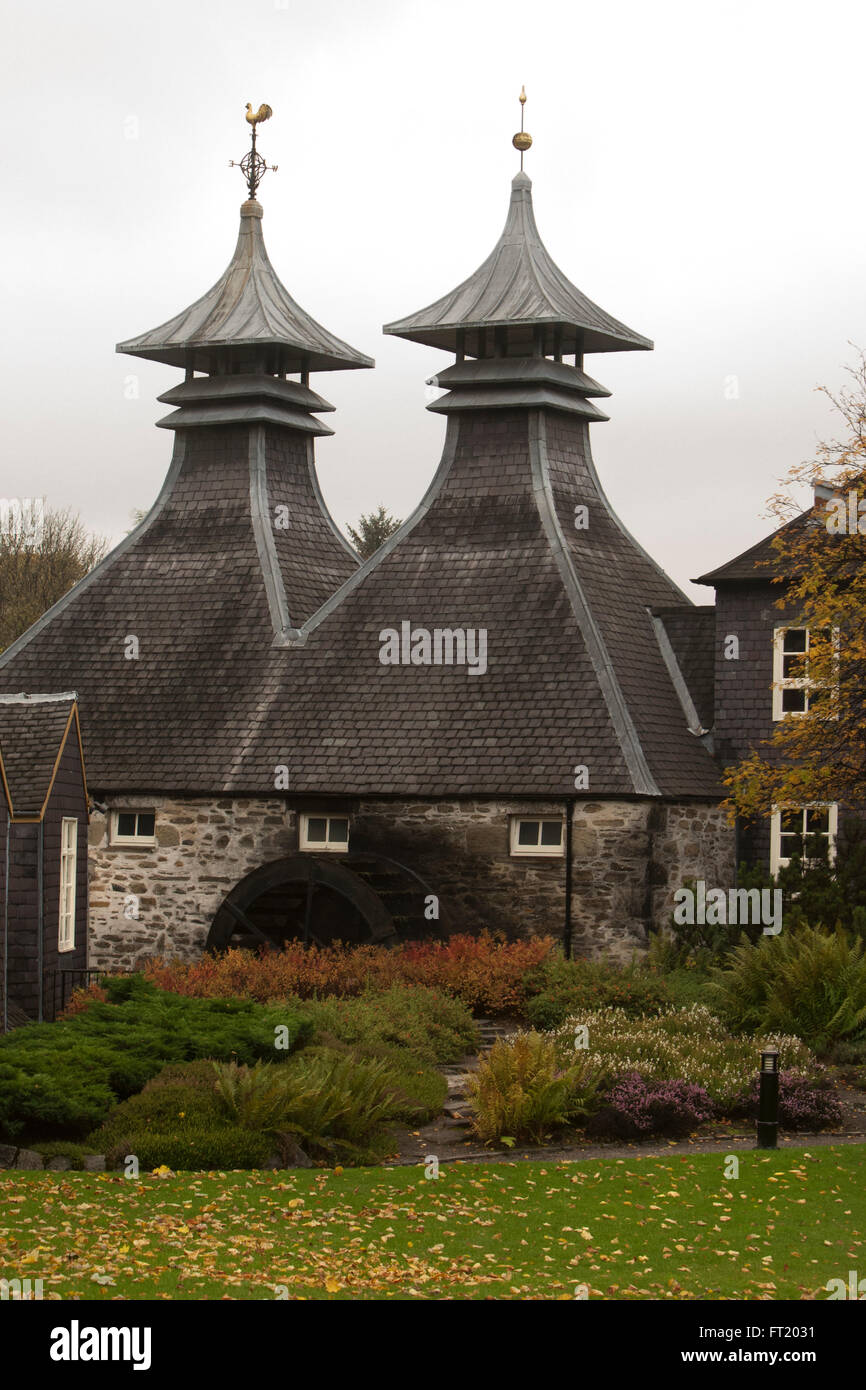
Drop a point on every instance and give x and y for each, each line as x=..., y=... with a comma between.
x=521, y=287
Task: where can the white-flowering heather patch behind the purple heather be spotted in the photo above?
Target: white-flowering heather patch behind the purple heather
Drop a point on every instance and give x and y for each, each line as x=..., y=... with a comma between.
x=679, y=1045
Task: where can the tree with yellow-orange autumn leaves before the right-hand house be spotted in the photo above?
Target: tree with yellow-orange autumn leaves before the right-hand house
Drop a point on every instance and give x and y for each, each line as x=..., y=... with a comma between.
x=819, y=565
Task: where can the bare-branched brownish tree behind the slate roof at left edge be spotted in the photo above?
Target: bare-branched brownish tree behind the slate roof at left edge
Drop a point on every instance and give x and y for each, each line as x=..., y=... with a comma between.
x=44, y=553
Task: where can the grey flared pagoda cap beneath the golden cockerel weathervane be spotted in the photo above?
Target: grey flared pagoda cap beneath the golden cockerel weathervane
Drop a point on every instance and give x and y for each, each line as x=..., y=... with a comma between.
x=250, y=309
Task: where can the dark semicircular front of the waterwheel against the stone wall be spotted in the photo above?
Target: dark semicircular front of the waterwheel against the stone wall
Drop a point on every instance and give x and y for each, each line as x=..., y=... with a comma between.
x=301, y=899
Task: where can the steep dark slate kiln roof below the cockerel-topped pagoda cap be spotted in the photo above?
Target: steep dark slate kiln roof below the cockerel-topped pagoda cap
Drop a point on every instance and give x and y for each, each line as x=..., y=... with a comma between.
x=194, y=587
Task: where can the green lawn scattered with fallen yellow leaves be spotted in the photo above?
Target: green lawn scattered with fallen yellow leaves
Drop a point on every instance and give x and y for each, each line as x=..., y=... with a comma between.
x=643, y=1228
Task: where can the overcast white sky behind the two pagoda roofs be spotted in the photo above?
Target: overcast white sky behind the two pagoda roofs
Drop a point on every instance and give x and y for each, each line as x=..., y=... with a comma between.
x=697, y=169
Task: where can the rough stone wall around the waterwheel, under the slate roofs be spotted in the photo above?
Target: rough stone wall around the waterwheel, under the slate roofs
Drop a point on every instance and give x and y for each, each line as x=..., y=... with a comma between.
x=628, y=860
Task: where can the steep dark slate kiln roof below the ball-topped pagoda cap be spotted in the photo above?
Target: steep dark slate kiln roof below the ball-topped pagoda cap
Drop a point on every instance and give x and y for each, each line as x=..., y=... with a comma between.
x=496, y=547
